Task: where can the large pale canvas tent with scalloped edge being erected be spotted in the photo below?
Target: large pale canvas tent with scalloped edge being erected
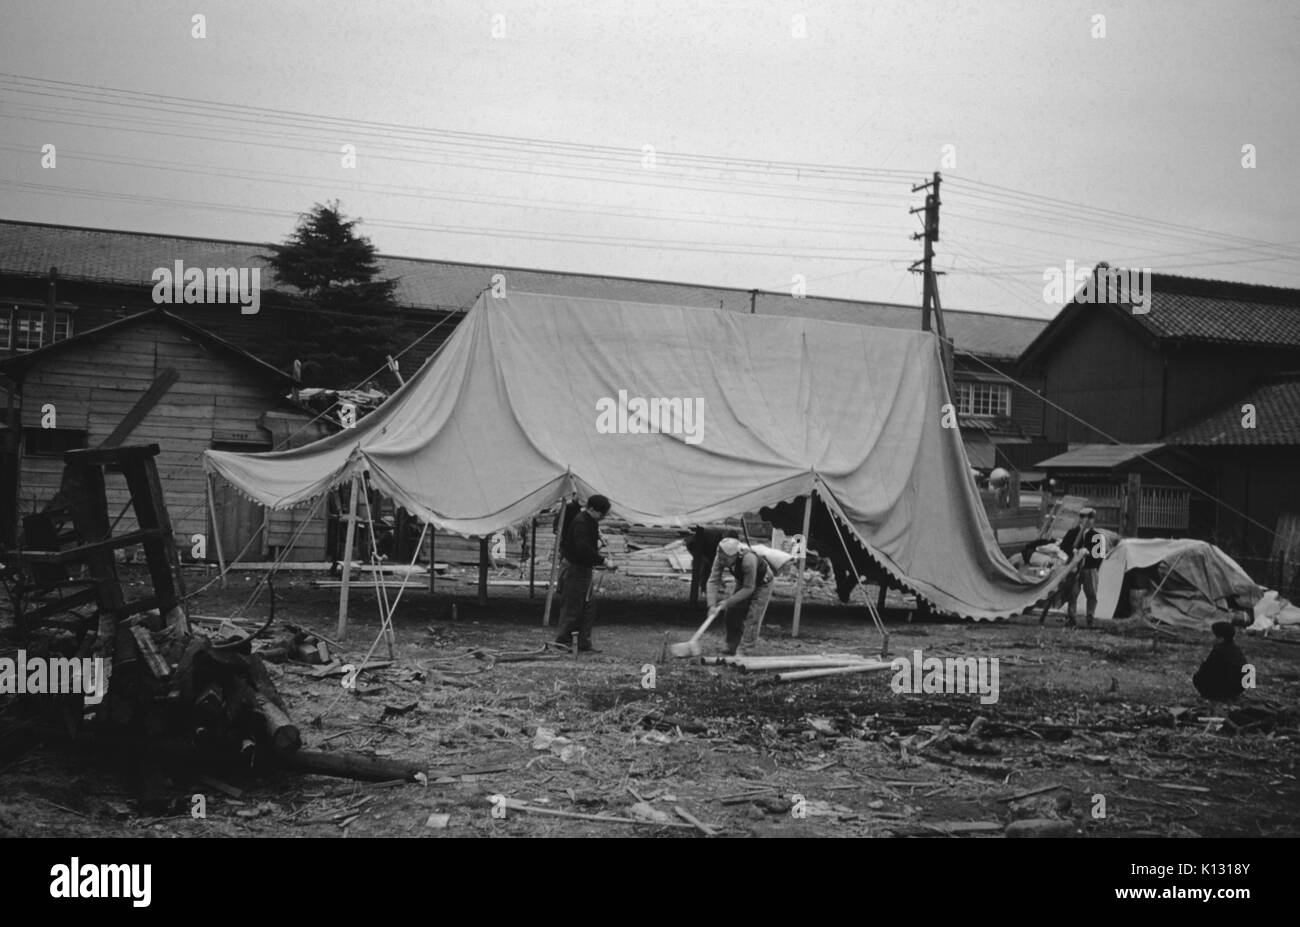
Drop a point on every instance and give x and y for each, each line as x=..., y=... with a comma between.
x=681, y=417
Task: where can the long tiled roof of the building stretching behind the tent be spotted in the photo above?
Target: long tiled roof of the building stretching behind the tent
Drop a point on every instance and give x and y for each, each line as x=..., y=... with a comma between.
x=131, y=258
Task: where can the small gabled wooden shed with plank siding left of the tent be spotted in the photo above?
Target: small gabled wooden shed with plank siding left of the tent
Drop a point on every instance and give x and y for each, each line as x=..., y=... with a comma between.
x=155, y=378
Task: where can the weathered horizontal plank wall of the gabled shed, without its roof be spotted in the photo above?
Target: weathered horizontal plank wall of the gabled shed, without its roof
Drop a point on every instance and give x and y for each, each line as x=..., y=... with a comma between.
x=94, y=385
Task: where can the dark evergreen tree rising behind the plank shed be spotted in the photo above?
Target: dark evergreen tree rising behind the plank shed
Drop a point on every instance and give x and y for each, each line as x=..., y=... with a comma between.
x=341, y=317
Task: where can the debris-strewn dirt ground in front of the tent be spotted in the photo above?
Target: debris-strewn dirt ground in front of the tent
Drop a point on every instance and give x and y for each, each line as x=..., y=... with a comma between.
x=1108, y=717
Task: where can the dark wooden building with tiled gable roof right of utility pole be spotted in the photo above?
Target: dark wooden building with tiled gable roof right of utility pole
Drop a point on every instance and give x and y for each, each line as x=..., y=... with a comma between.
x=1152, y=409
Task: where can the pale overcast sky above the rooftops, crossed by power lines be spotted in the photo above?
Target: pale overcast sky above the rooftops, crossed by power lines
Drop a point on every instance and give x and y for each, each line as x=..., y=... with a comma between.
x=684, y=141
